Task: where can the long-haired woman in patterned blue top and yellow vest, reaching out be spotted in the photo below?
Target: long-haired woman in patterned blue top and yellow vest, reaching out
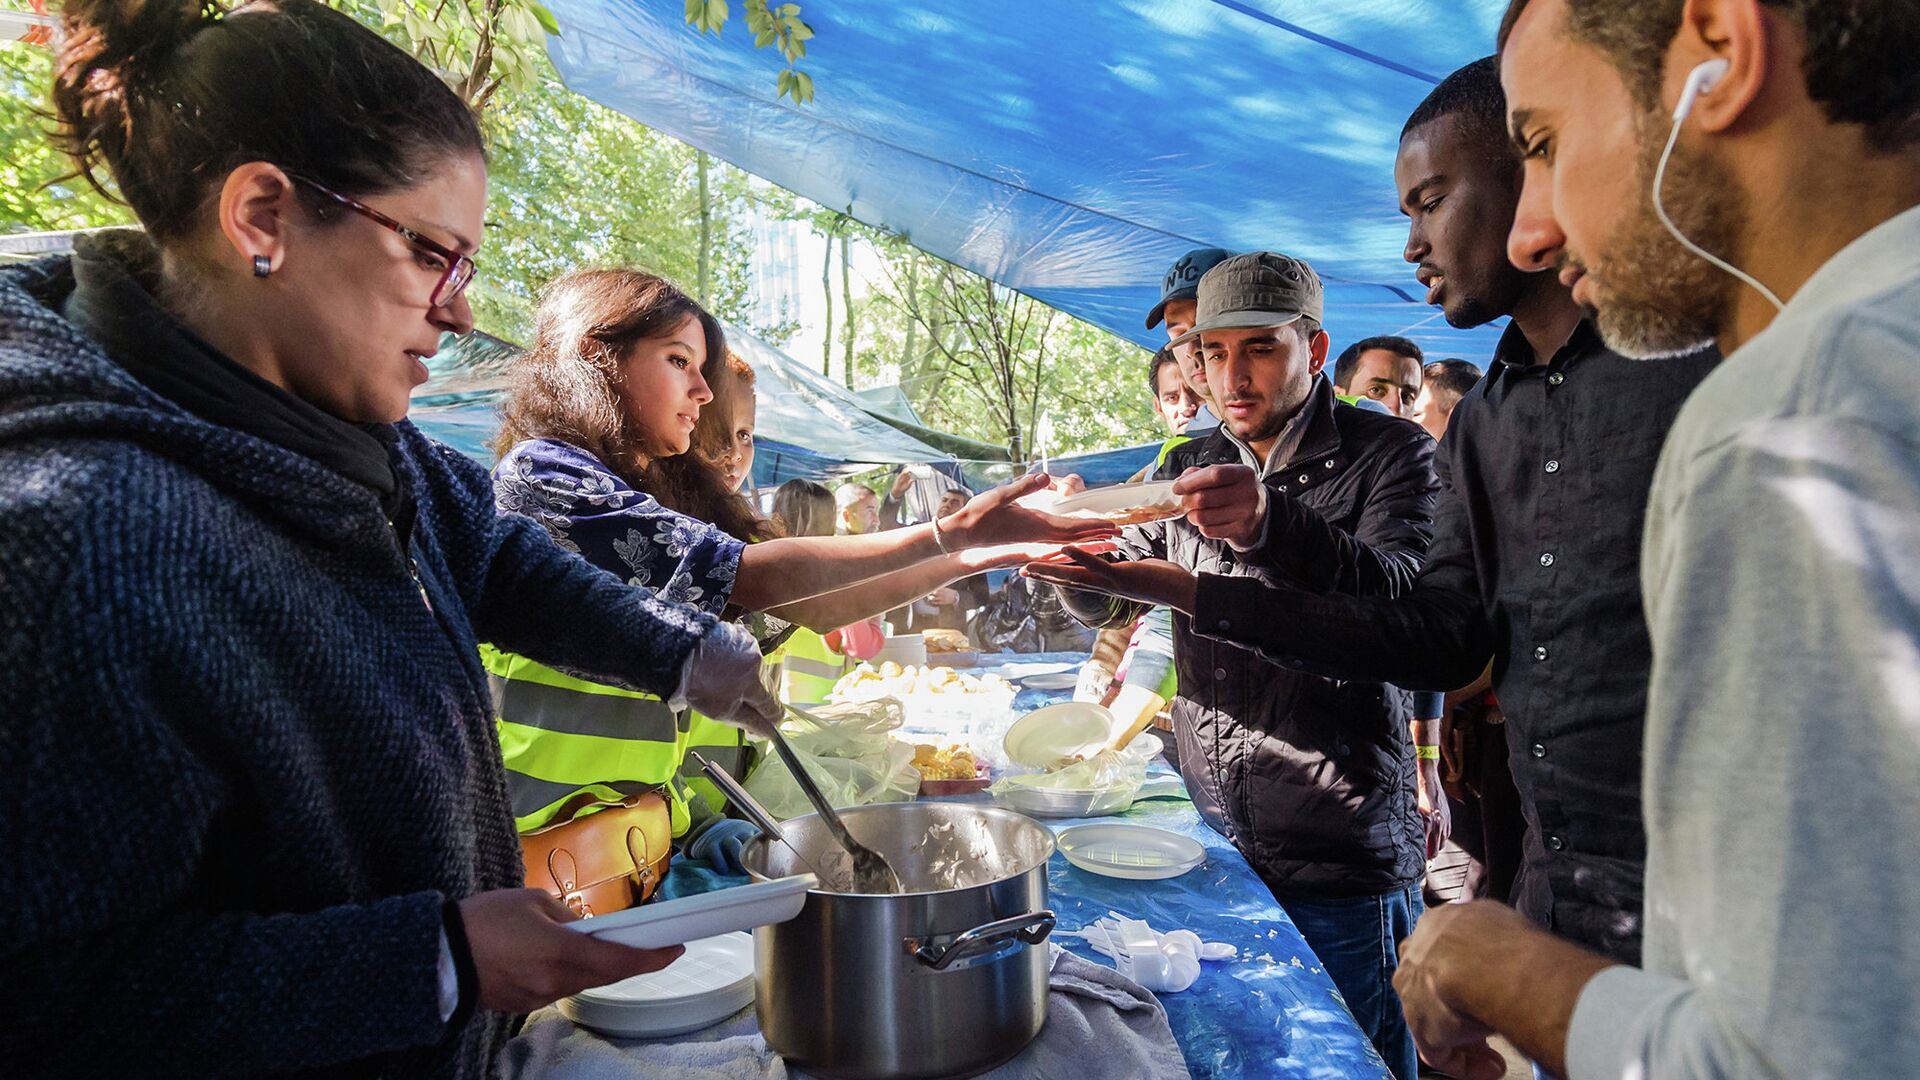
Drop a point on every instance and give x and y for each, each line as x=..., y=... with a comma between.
x=596, y=445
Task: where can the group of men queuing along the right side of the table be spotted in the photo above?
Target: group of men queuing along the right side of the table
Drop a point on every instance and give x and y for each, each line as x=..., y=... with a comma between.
x=1625, y=539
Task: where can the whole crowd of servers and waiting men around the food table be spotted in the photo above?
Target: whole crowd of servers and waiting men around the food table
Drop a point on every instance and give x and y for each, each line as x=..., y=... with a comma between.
x=1631, y=614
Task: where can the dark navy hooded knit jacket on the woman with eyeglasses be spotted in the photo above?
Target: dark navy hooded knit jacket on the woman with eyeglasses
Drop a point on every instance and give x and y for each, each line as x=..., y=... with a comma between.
x=243, y=764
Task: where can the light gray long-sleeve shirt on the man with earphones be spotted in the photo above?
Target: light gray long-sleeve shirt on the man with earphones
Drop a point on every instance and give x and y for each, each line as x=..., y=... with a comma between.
x=1783, y=743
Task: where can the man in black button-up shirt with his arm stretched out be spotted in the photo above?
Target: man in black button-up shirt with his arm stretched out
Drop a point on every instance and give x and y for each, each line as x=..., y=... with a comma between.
x=1537, y=551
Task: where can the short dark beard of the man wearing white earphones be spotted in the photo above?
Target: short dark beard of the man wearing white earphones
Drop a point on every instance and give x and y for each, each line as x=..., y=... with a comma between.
x=1656, y=299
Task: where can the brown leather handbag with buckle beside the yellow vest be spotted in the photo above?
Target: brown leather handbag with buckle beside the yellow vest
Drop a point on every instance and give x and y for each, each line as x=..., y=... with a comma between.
x=604, y=856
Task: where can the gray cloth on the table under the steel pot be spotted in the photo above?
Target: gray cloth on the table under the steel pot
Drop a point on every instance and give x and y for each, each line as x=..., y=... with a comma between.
x=1093, y=1014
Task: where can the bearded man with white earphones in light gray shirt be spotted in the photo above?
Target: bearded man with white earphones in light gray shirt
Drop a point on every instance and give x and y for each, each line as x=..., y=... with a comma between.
x=1744, y=172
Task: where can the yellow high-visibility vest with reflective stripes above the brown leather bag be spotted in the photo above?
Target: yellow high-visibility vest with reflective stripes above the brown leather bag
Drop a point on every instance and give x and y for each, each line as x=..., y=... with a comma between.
x=562, y=735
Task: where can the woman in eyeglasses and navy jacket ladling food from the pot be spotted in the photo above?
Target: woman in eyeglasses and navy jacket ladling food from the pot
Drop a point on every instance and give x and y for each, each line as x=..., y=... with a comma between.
x=256, y=812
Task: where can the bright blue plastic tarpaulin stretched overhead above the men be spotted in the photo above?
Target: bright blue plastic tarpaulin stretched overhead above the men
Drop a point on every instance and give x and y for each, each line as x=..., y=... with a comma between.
x=1074, y=151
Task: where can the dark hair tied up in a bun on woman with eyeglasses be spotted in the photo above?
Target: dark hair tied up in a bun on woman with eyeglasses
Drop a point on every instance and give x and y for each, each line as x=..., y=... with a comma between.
x=172, y=95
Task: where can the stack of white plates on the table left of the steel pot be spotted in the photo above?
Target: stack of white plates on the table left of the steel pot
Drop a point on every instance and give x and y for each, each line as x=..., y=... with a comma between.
x=708, y=985
